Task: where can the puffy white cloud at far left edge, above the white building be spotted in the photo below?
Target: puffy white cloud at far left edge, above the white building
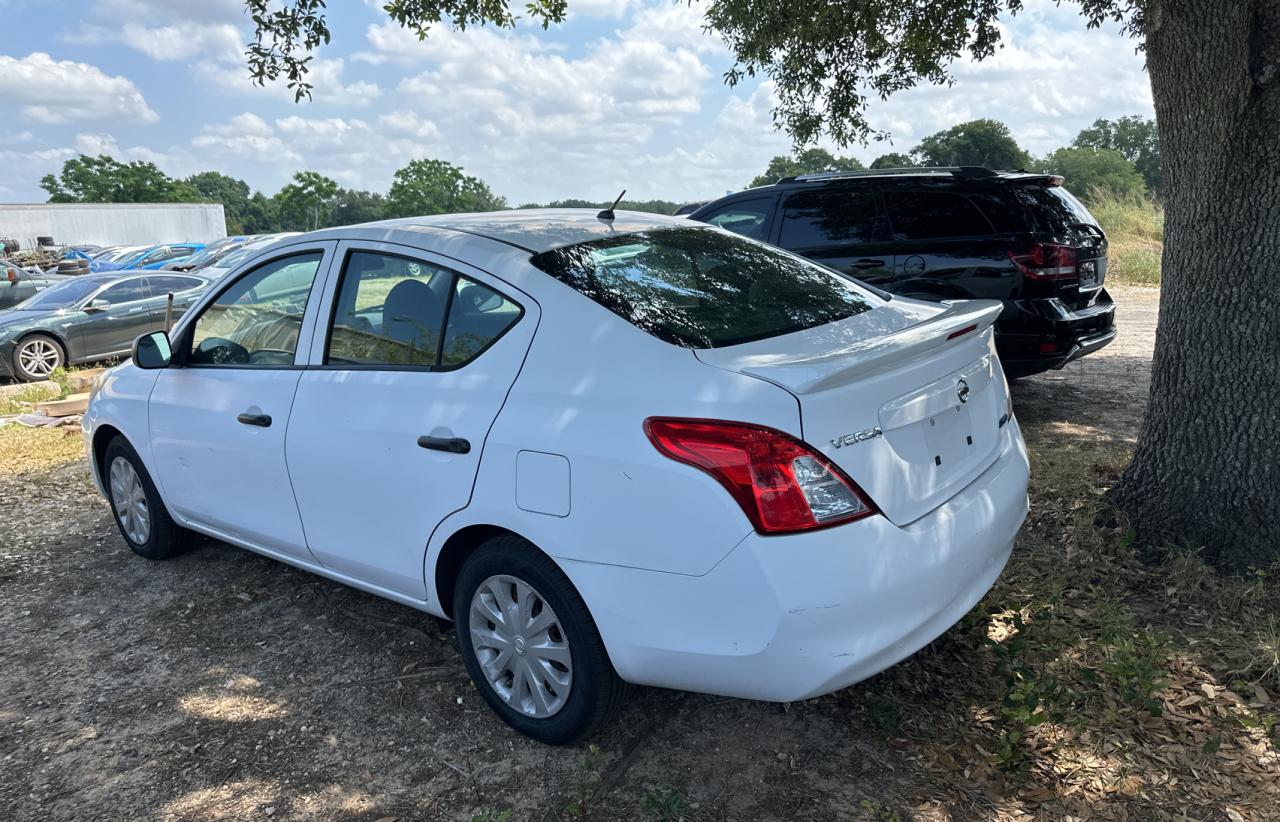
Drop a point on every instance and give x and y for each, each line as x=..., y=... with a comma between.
x=62, y=92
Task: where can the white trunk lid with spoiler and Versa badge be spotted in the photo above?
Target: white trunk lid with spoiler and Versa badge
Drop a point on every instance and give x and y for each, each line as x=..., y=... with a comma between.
x=906, y=399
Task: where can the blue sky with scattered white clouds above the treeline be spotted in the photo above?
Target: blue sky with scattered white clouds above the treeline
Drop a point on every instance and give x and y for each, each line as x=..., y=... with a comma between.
x=625, y=94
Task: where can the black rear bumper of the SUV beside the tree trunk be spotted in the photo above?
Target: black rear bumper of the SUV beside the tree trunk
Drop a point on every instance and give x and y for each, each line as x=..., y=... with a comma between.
x=1035, y=336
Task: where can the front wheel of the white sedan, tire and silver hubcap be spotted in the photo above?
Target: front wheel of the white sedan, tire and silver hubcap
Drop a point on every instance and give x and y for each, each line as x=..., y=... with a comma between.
x=140, y=514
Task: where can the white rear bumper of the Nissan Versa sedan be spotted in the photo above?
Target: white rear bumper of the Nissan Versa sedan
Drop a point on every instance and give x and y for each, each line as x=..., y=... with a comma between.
x=789, y=618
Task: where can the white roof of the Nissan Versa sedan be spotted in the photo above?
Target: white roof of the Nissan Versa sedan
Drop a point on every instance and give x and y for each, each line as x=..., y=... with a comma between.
x=533, y=230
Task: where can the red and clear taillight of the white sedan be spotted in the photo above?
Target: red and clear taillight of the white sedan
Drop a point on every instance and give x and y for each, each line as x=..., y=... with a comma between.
x=783, y=485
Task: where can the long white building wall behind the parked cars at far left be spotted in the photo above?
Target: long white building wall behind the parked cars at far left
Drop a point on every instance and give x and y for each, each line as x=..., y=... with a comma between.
x=113, y=225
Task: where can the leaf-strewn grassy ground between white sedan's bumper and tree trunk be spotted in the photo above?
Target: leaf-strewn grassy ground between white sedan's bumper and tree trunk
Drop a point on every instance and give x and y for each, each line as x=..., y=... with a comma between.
x=1091, y=678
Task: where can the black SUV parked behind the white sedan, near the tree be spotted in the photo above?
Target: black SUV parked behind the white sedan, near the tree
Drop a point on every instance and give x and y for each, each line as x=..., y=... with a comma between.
x=950, y=234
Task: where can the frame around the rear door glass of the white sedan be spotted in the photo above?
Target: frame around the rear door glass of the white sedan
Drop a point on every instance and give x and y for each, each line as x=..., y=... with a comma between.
x=327, y=307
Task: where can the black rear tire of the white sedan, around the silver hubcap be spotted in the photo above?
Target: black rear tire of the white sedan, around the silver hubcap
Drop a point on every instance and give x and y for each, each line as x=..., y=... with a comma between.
x=596, y=693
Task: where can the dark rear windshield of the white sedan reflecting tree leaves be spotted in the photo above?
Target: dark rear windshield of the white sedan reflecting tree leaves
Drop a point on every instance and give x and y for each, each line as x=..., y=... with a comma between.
x=703, y=289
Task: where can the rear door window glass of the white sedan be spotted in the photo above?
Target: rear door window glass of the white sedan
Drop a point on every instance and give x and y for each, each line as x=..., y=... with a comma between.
x=396, y=312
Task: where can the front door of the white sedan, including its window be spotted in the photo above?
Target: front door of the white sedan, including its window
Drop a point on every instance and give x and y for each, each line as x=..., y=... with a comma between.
x=221, y=413
